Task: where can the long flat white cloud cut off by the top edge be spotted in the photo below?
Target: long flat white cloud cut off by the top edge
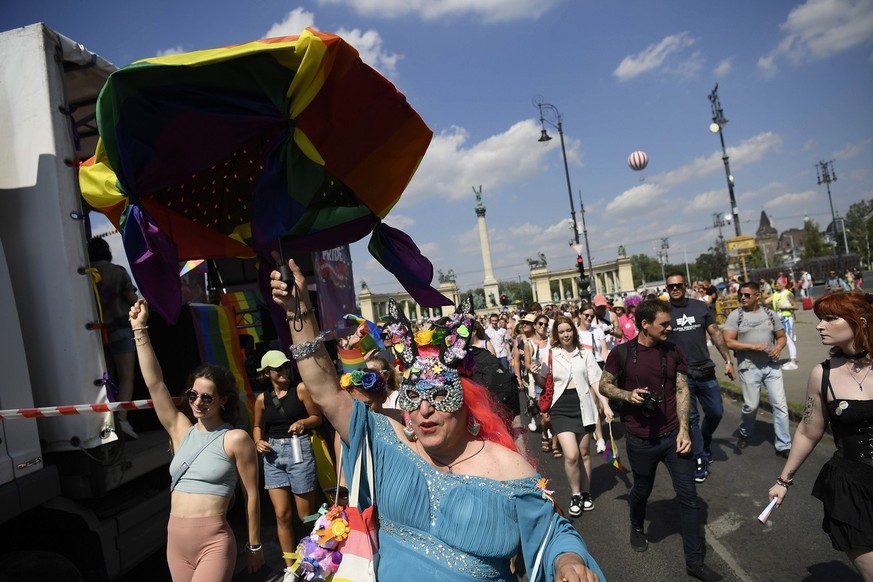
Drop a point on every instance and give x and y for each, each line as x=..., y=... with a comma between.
x=489, y=11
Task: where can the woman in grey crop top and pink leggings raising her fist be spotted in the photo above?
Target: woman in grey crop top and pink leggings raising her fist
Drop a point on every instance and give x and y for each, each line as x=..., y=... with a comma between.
x=210, y=457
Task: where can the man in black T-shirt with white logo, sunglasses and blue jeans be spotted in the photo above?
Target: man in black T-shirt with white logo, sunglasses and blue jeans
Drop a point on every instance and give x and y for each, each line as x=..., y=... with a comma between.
x=692, y=320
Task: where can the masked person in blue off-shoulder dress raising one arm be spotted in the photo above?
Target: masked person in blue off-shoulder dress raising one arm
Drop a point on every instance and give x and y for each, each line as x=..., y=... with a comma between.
x=456, y=501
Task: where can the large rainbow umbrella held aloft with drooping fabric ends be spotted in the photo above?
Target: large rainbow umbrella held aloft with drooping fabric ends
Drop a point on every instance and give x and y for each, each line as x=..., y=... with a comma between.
x=226, y=152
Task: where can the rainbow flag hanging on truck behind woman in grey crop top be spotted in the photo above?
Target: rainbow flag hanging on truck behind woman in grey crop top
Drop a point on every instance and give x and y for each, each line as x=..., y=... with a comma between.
x=219, y=344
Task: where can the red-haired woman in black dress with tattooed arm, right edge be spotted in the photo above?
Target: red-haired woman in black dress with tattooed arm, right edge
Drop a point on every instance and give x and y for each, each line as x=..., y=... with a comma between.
x=840, y=392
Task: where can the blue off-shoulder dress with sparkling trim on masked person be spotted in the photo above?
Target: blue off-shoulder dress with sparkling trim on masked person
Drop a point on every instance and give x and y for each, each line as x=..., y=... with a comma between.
x=437, y=526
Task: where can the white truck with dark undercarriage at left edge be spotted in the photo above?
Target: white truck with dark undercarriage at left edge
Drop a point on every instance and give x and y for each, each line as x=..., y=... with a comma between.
x=77, y=501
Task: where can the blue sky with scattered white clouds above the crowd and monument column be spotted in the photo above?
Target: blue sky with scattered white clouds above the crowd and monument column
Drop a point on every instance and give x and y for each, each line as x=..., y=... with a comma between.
x=795, y=81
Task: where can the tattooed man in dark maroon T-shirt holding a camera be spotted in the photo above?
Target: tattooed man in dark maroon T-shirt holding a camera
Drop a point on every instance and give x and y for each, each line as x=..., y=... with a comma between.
x=649, y=375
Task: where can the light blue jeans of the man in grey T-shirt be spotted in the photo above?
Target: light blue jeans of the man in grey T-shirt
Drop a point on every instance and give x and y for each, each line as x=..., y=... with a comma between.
x=751, y=381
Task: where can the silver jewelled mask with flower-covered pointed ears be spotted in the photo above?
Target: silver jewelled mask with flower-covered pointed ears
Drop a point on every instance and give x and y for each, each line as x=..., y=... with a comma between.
x=432, y=358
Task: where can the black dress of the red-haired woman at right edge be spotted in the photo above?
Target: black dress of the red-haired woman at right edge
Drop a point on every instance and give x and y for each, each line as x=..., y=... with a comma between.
x=845, y=483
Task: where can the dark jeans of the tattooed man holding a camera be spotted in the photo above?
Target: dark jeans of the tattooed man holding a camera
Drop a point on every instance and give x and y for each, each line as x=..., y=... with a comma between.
x=644, y=456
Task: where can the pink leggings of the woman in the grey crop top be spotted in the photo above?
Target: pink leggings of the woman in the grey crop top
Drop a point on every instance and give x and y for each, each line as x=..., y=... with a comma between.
x=200, y=549
